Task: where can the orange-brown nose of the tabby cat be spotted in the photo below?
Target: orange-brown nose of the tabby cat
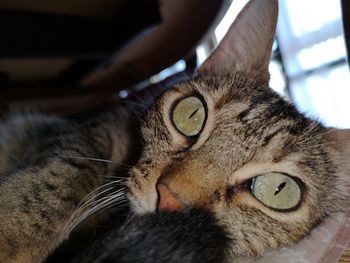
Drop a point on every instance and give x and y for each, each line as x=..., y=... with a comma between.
x=166, y=200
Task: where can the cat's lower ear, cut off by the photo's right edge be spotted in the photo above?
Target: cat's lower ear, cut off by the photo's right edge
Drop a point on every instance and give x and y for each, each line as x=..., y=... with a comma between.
x=338, y=143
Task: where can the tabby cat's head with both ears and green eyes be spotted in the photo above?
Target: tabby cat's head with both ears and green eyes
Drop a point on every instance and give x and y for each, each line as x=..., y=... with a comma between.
x=226, y=142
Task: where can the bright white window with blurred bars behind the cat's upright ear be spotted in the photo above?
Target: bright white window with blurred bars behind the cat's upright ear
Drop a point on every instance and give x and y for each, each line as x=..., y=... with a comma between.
x=314, y=56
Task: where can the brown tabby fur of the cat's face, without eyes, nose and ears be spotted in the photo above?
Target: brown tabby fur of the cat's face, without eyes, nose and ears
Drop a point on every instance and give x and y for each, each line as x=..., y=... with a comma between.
x=253, y=132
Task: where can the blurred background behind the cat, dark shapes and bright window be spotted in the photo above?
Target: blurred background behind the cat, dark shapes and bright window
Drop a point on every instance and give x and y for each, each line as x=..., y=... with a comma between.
x=68, y=56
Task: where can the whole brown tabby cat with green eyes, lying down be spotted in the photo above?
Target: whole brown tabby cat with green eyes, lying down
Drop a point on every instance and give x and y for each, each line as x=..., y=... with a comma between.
x=224, y=167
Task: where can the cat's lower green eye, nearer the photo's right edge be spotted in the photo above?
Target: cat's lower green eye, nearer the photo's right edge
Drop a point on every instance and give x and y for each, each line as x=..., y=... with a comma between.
x=276, y=190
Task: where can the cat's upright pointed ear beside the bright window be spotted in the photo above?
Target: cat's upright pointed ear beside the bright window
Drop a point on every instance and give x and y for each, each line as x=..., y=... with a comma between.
x=248, y=43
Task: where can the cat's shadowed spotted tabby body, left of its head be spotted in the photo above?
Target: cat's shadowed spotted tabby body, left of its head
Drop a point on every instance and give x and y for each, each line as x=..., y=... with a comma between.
x=41, y=185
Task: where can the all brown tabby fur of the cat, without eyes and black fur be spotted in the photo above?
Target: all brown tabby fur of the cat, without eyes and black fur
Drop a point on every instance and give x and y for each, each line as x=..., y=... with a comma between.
x=249, y=131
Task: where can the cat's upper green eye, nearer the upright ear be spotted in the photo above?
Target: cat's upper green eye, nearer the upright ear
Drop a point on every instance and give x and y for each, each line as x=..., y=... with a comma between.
x=189, y=116
